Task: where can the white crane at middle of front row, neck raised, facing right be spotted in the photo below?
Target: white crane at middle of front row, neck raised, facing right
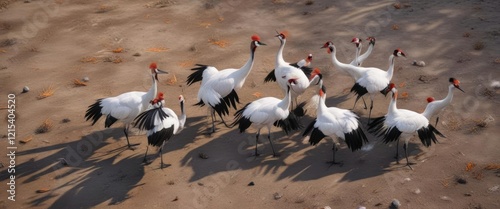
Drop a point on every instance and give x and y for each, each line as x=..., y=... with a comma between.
x=266, y=112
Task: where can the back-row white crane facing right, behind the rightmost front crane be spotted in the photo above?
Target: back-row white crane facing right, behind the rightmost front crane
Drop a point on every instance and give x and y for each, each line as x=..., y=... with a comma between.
x=375, y=80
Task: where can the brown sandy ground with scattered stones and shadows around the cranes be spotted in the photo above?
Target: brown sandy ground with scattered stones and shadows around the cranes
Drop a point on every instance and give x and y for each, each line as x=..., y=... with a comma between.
x=50, y=43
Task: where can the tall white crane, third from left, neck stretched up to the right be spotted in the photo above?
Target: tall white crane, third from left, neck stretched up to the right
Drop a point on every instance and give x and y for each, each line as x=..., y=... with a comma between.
x=219, y=88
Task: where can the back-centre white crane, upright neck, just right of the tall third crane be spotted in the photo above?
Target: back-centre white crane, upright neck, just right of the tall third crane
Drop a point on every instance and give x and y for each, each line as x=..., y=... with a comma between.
x=283, y=71
